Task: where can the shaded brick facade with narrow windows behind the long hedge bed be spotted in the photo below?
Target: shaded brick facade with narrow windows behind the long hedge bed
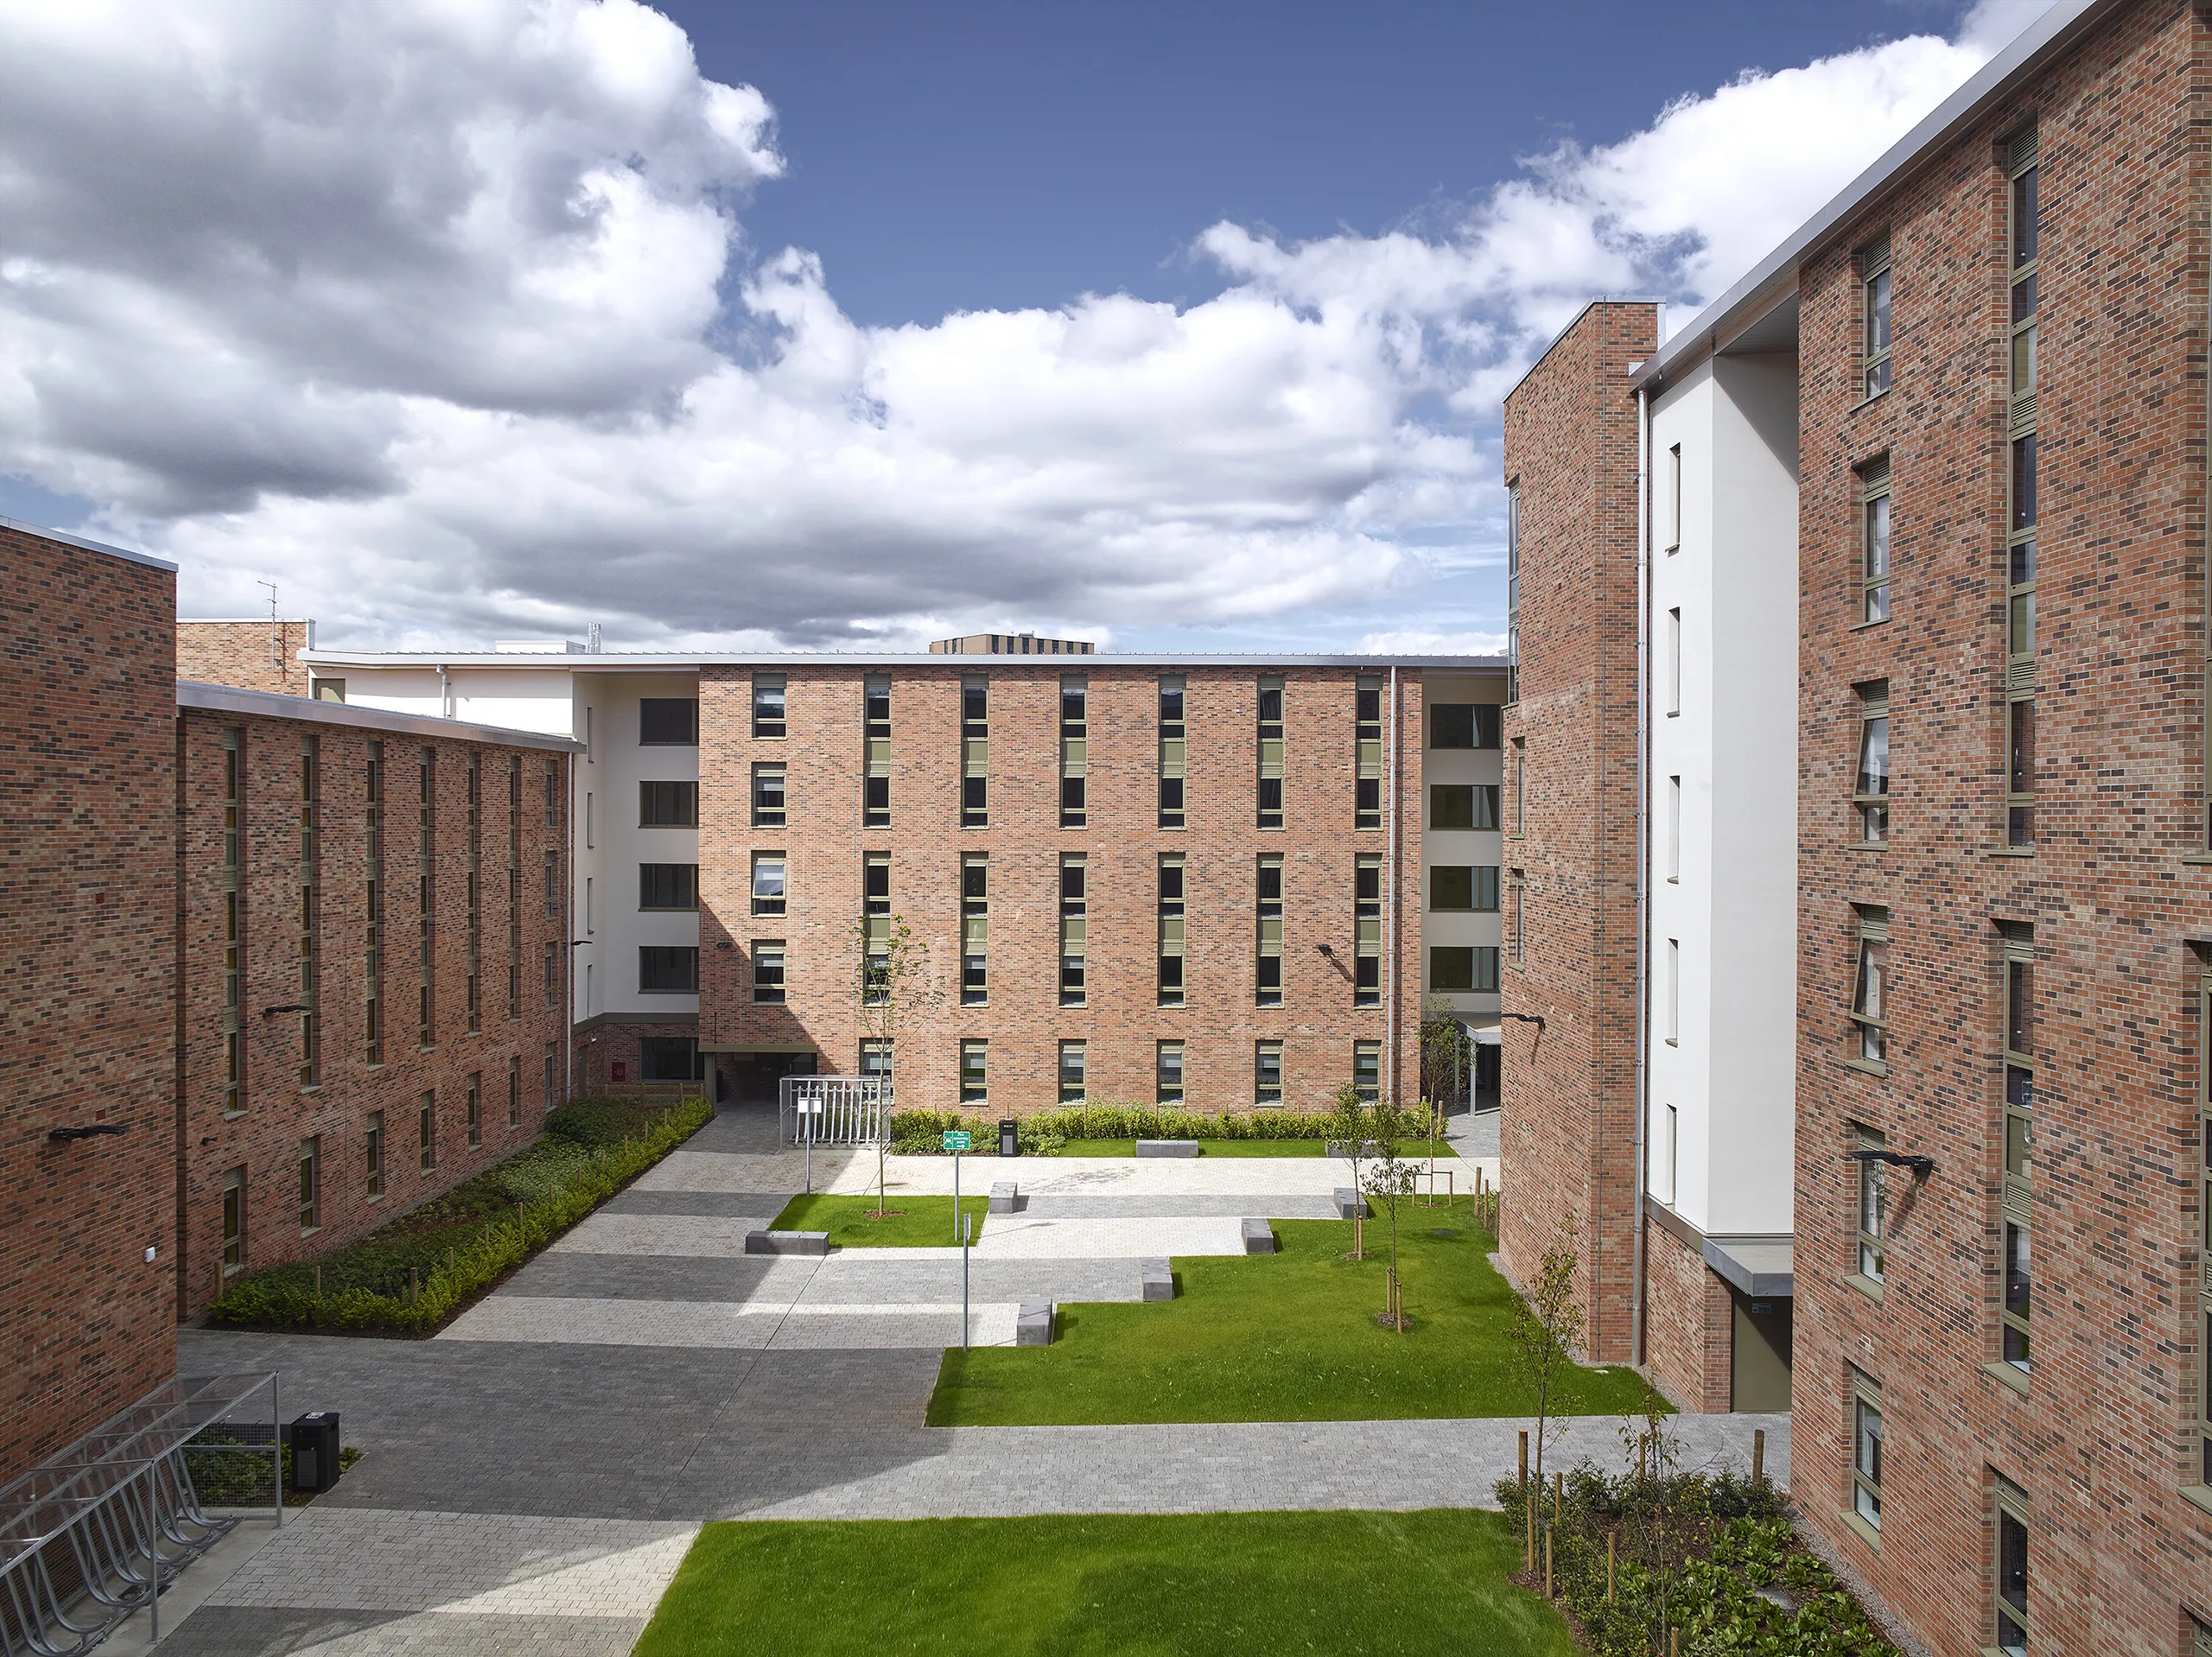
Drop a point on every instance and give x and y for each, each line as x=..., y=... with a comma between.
x=278, y=1112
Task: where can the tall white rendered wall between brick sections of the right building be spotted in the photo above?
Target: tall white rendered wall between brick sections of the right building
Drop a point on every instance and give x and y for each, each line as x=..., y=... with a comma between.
x=1729, y=893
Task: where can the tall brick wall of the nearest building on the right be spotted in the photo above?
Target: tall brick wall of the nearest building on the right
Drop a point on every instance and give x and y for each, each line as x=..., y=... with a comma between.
x=2100, y=1437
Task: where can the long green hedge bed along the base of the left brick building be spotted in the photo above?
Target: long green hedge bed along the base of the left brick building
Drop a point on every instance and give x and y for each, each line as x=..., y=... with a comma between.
x=561, y=1182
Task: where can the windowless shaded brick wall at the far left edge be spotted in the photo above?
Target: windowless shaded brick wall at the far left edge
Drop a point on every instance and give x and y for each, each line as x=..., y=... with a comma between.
x=87, y=705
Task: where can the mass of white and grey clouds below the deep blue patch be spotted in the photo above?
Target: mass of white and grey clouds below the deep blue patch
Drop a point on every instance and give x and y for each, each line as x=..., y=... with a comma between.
x=444, y=313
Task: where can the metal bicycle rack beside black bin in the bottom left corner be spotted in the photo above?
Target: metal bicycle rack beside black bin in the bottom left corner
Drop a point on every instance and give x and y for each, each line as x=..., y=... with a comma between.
x=98, y=1530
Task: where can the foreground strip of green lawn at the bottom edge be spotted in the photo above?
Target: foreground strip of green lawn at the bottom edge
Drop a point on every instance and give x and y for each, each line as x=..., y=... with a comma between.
x=1127, y=1585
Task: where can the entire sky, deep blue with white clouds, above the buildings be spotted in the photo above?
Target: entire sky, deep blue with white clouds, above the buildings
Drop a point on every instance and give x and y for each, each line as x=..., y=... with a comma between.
x=857, y=324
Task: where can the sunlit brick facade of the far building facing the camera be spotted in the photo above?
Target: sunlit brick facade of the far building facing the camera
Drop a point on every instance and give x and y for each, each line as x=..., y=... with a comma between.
x=1025, y=842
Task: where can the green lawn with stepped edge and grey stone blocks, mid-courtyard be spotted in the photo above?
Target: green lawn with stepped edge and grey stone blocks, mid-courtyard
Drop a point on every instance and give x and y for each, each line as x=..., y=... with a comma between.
x=1282, y=1337
